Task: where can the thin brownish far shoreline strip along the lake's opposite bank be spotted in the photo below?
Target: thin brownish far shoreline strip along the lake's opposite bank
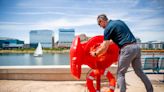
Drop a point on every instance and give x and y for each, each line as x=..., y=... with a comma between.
x=64, y=51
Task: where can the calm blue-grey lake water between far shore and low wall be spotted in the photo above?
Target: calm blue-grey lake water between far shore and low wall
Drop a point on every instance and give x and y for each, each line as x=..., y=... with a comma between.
x=46, y=59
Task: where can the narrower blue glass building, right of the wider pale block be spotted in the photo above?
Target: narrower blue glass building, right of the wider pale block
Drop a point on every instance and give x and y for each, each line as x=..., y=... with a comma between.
x=65, y=37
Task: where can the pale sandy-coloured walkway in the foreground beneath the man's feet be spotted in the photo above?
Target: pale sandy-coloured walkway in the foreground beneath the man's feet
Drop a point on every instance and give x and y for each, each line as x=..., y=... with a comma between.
x=134, y=84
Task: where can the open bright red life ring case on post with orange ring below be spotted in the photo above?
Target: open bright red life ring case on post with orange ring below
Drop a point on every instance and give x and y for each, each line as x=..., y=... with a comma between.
x=80, y=55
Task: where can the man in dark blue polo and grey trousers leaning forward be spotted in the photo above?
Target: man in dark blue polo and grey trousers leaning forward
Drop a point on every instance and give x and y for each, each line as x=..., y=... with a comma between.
x=119, y=32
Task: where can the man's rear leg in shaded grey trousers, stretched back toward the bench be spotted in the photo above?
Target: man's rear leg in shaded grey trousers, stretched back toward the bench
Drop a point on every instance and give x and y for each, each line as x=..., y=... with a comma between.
x=136, y=64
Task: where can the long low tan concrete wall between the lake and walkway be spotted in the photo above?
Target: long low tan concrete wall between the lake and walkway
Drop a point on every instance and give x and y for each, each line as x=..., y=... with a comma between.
x=58, y=73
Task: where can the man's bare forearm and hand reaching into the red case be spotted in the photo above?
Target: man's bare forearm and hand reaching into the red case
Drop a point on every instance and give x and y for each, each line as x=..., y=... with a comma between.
x=103, y=48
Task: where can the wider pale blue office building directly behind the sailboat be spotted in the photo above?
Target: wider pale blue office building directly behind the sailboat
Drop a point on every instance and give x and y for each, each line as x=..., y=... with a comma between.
x=45, y=37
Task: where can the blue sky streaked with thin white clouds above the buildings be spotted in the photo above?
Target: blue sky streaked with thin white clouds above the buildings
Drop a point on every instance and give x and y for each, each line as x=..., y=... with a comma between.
x=145, y=18
